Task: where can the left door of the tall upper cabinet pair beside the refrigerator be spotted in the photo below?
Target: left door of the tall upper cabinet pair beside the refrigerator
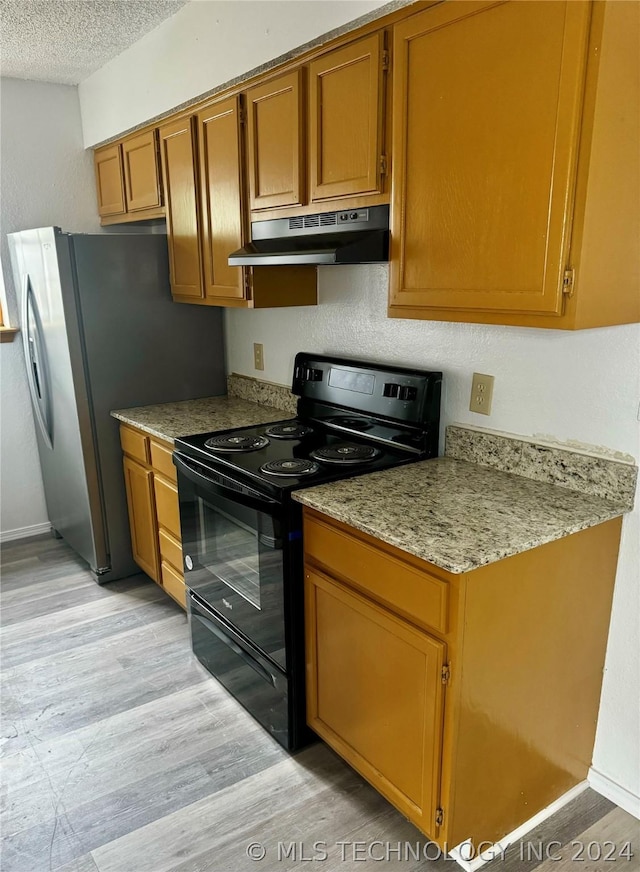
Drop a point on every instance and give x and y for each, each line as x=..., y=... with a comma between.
x=179, y=174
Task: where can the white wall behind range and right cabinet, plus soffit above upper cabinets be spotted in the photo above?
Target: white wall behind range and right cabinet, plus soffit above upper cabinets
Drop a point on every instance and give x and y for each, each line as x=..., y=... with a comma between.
x=581, y=386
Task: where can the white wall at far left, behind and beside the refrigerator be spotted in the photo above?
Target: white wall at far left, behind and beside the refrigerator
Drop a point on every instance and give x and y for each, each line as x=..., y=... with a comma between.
x=45, y=178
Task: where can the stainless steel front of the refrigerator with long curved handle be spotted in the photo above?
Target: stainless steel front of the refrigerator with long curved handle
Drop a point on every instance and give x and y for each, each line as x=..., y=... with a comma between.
x=59, y=394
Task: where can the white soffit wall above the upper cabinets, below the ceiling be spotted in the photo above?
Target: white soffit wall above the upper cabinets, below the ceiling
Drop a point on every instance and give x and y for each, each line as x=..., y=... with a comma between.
x=198, y=49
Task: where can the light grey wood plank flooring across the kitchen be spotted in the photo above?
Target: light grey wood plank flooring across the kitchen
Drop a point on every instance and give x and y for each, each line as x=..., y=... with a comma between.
x=121, y=754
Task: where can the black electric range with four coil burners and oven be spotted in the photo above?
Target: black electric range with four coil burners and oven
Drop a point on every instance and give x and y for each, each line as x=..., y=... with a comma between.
x=241, y=530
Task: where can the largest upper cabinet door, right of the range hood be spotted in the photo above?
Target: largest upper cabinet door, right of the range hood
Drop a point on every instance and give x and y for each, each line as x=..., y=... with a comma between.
x=486, y=104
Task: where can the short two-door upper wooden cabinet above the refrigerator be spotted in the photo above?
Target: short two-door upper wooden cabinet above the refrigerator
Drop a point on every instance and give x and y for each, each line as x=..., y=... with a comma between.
x=128, y=179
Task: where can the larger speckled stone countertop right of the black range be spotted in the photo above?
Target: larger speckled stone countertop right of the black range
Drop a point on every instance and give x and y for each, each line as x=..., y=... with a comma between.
x=455, y=514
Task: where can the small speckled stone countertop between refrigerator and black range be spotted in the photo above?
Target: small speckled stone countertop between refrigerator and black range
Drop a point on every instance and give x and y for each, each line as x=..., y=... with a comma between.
x=168, y=421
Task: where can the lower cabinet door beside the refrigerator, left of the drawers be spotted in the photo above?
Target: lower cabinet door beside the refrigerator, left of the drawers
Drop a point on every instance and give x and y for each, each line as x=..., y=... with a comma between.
x=142, y=517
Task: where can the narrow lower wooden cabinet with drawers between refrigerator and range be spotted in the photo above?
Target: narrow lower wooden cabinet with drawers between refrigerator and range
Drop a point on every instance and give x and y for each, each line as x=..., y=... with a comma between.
x=154, y=513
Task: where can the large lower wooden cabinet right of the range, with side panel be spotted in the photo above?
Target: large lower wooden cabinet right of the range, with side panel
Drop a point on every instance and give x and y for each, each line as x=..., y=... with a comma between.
x=473, y=726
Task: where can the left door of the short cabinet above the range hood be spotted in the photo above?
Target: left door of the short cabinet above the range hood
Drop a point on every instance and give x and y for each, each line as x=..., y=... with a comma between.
x=276, y=142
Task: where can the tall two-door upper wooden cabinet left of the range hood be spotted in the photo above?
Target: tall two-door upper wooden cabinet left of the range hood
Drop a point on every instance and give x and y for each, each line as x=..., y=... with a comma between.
x=204, y=182
